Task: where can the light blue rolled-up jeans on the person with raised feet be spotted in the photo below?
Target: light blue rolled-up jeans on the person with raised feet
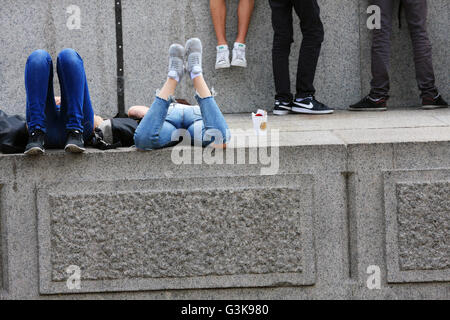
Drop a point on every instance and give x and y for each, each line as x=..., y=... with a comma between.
x=163, y=125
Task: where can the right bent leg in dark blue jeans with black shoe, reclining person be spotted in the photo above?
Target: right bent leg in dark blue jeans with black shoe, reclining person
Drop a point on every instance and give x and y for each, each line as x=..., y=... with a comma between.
x=76, y=108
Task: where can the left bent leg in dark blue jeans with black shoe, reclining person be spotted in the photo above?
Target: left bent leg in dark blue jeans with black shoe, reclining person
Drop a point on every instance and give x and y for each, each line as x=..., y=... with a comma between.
x=41, y=106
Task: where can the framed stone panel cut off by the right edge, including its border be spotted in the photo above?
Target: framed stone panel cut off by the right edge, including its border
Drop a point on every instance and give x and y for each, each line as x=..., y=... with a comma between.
x=417, y=207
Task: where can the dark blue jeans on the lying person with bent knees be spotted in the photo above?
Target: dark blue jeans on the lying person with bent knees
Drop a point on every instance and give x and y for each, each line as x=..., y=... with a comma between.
x=75, y=112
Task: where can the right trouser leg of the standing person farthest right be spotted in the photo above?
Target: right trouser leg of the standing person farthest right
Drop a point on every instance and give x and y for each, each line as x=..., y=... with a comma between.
x=416, y=14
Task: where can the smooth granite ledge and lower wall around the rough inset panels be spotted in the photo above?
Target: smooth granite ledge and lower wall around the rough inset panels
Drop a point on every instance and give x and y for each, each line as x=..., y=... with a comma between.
x=348, y=193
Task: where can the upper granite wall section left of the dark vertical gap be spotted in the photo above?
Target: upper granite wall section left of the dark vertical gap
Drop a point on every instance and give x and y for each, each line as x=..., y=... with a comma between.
x=28, y=25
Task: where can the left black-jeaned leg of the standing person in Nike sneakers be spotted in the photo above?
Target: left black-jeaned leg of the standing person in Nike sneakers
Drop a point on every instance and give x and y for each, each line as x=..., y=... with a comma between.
x=283, y=38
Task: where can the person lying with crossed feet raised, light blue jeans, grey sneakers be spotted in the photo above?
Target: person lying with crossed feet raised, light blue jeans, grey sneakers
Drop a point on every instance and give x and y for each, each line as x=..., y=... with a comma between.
x=163, y=121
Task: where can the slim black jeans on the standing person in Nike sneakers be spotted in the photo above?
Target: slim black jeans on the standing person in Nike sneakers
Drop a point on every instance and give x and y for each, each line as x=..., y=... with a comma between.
x=313, y=34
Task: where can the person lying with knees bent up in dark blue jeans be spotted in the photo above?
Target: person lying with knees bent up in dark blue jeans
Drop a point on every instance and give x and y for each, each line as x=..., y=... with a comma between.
x=67, y=122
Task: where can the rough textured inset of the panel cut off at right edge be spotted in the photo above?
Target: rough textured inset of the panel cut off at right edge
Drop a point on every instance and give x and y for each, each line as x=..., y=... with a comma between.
x=424, y=226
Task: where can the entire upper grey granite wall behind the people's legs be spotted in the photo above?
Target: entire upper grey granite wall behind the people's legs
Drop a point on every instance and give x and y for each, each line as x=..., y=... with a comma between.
x=149, y=28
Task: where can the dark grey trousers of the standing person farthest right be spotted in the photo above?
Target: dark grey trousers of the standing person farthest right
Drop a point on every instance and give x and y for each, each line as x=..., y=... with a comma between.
x=416, y=15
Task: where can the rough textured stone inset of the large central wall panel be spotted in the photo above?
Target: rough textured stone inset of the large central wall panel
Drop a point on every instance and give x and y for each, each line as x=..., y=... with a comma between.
x=176, y=234
